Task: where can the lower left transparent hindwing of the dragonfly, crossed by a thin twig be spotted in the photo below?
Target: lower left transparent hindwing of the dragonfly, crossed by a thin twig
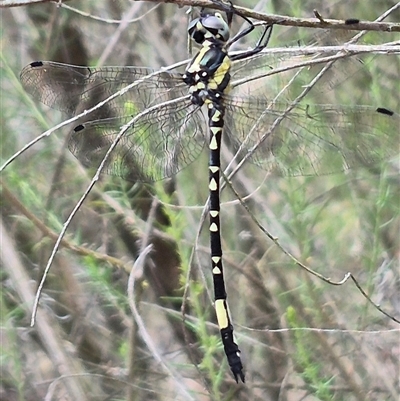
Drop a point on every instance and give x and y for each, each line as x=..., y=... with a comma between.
x=157, y=145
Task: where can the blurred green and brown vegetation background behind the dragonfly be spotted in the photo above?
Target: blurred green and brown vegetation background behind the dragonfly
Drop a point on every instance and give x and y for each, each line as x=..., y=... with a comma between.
x=301, y=338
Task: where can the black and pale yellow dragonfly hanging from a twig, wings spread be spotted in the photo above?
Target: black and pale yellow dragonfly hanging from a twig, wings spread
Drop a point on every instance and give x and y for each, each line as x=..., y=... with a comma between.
x=169, y=117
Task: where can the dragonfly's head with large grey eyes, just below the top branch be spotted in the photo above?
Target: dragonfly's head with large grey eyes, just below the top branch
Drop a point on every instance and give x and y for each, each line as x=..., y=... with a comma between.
x=209, y=26
